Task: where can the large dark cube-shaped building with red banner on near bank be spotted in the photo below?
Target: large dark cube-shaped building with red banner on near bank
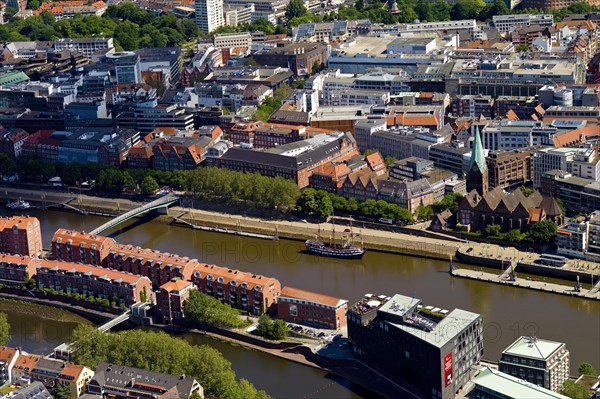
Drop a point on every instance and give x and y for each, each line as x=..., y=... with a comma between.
x=429, y=348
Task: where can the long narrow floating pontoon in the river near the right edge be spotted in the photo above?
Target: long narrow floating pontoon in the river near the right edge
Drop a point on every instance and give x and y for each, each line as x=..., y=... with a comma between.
x=525, y=283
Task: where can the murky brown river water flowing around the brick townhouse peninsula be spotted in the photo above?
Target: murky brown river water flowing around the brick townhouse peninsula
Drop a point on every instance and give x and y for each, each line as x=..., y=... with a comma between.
x=508, y=312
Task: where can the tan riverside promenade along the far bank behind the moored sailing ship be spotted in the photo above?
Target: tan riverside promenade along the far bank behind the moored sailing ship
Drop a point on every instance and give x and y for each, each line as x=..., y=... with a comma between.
x=413, y=243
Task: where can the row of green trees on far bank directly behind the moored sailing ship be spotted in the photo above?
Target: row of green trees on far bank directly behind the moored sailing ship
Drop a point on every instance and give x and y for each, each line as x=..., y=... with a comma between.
x=321, y=204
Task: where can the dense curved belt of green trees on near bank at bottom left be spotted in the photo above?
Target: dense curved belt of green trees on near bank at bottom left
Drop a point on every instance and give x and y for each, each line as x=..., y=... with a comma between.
x=160, y=352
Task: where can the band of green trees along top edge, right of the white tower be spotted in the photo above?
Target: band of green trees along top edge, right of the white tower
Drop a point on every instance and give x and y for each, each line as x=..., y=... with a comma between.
x=423, y=10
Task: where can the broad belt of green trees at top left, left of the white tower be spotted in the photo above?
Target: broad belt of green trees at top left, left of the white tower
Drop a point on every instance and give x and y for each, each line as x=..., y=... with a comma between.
x=129, y=25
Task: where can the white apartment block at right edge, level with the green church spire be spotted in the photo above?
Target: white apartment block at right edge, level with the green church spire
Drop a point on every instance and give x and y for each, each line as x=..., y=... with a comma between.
x=580, y=162
